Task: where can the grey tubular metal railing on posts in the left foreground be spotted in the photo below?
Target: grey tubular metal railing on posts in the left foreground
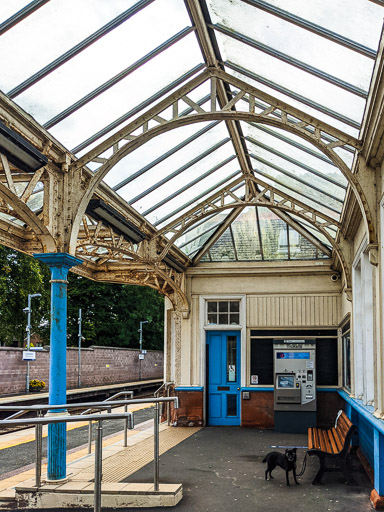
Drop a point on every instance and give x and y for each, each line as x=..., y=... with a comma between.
x=39, y=421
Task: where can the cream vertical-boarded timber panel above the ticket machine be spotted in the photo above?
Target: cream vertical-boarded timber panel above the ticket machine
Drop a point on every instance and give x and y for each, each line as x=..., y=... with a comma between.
x=293, y=310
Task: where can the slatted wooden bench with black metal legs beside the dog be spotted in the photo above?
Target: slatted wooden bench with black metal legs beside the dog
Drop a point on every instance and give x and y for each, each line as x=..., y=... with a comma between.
x=331, y=445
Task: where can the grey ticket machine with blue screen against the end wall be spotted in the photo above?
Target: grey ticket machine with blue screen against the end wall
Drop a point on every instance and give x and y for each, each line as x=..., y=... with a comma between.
x=294, y=364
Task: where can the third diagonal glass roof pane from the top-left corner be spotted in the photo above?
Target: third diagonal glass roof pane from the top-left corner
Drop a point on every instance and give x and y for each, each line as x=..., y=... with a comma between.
x=94, y=65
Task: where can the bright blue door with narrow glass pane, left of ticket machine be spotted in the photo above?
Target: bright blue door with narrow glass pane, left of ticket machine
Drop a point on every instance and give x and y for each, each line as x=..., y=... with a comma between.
x=223, y=364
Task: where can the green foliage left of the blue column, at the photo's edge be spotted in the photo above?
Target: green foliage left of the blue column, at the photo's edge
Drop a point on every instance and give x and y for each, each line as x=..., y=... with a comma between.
x=21, y=275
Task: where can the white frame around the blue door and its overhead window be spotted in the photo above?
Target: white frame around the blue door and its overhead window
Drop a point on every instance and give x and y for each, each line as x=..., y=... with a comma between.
x=204, y=328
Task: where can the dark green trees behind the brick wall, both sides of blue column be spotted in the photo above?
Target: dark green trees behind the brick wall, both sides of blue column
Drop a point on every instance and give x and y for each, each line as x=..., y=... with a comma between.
x=111, y=313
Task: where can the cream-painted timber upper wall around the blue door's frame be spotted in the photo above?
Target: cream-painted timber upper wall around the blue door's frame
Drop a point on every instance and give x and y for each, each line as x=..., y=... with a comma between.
x=302, y=294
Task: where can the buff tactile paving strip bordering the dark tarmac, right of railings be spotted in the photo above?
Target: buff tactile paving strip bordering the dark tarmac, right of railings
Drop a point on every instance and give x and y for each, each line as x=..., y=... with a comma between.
x=134, y=458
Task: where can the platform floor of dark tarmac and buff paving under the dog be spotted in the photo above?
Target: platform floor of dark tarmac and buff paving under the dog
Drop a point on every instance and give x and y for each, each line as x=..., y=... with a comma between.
x=220, y=469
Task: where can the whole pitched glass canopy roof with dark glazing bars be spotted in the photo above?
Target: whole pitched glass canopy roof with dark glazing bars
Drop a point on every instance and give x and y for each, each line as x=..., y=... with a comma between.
x=84, y=68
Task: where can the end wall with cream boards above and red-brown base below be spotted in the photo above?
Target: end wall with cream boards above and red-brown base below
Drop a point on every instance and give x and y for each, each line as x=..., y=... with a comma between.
x=299, y=299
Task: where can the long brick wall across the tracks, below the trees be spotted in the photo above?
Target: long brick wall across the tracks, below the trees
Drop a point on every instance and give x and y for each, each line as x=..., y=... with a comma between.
x=99, y=366
